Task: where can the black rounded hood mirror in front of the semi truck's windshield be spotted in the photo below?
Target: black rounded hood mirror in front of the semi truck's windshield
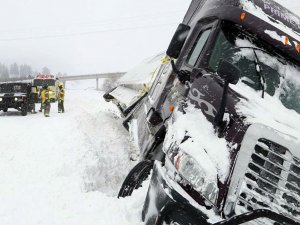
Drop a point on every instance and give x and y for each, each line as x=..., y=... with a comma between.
x=229, y=72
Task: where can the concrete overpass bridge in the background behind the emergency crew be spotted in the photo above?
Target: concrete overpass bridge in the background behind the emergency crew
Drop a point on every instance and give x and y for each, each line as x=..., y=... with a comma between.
x=64, y=79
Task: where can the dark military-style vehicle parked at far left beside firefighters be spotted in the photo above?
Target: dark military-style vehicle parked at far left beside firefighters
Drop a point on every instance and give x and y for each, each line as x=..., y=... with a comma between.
x=18, y=95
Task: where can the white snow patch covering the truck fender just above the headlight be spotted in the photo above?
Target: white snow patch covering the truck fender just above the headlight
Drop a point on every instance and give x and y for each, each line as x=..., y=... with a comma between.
x=203, y=144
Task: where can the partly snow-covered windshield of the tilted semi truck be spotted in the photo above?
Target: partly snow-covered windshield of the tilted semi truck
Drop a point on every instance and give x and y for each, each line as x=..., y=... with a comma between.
x=262, y=70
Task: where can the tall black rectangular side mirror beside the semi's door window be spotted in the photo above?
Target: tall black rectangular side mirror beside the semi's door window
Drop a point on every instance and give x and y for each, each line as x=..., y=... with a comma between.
x=178, y=40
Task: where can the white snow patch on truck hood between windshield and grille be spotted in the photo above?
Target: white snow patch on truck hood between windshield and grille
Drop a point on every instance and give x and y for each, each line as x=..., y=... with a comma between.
x=268, y=111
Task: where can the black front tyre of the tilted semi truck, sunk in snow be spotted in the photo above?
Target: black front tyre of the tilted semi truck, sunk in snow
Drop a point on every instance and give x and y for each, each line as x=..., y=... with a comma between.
x=135, y=178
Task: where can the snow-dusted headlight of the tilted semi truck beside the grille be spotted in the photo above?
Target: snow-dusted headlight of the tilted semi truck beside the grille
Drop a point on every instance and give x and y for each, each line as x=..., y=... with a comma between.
x=196, y=176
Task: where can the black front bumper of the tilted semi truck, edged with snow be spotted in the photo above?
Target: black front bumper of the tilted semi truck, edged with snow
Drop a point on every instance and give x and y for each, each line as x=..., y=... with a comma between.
x=167, y=202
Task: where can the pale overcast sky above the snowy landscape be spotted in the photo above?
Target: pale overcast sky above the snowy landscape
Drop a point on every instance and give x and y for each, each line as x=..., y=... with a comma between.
x=89, y=36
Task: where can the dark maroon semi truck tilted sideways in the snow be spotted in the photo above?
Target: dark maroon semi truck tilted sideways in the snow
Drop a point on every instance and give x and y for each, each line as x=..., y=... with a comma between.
x=237, y=65
